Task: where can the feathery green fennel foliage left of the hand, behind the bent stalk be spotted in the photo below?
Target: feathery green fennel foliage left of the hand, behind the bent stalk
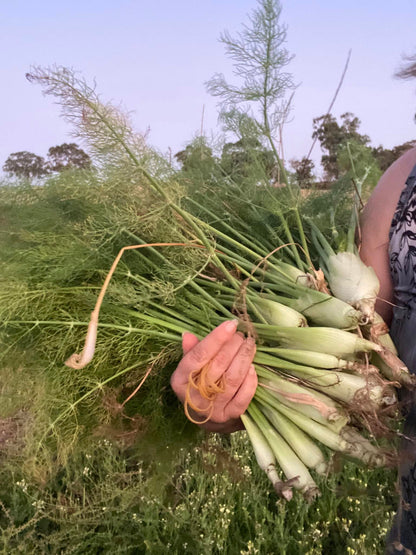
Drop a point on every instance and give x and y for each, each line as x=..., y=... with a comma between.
x=57, y=244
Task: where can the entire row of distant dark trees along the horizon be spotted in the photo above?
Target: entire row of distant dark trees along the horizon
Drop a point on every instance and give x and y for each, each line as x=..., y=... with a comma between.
x=236, y=157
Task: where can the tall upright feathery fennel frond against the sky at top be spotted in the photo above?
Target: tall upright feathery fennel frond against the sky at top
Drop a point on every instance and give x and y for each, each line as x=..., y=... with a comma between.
x=259, y=58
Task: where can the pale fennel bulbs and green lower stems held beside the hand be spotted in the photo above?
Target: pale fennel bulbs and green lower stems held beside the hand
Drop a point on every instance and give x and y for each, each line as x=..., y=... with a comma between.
x=317, y=390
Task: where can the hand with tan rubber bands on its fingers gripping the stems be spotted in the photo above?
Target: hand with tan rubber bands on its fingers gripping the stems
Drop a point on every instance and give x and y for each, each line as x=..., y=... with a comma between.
x=229, y=354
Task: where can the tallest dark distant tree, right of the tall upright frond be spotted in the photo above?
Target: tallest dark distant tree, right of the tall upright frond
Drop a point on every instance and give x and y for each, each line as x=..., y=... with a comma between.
x=332, y=136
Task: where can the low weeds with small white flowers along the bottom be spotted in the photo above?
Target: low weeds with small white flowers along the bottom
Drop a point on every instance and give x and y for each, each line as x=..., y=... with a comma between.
x=210, y=498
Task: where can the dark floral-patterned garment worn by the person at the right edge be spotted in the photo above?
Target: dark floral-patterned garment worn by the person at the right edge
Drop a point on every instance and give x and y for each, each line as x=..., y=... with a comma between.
x=402, y=255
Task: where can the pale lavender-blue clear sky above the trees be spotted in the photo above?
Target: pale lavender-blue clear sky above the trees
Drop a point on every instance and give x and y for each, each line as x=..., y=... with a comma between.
x=154, y=57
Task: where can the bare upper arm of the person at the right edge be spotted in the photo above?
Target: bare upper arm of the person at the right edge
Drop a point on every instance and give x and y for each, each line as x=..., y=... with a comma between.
x=375, y=225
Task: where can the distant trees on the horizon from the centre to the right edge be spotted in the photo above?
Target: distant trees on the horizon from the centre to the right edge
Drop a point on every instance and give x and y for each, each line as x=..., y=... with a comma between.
x=333, y=136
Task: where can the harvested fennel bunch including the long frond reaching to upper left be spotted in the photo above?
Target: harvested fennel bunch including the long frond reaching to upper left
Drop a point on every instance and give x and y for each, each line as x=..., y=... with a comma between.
x=318, y=390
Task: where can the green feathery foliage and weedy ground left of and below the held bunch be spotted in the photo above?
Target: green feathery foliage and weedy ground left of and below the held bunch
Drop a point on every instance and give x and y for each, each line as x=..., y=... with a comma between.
x=141, y=480
